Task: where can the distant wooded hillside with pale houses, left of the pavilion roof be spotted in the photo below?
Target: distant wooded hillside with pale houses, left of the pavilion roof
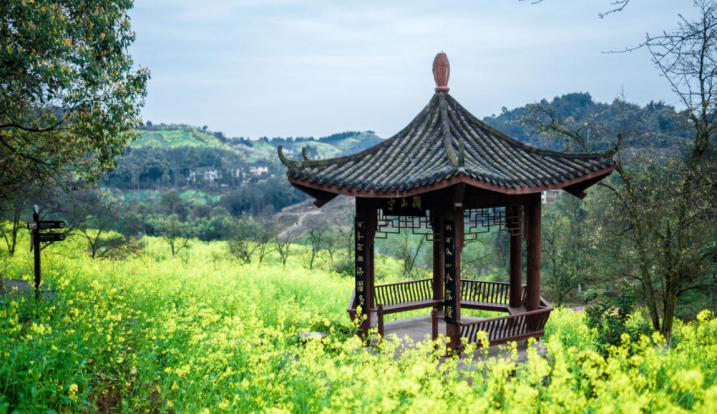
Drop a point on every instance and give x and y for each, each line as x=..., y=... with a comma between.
x=208, y=167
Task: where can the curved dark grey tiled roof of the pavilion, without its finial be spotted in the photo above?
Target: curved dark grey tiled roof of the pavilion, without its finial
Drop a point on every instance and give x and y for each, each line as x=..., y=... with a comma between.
x=446, y=143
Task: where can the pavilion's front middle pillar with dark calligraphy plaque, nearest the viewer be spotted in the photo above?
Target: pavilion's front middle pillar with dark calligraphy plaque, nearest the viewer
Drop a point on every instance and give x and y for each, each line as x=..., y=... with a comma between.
x=453, y=228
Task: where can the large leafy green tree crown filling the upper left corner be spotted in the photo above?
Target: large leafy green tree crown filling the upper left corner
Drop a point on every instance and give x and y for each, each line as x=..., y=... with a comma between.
x=69, y=93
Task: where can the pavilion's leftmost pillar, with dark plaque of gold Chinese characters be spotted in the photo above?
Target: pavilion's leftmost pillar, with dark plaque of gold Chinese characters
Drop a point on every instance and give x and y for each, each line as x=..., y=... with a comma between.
x=364, y=231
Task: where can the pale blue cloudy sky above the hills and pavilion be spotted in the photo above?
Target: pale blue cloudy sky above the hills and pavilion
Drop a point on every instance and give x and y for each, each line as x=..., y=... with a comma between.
x=256, y=68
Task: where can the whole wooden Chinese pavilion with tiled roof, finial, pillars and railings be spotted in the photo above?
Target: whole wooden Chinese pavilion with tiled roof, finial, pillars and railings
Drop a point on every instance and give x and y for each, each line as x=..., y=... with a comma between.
x=450, y=176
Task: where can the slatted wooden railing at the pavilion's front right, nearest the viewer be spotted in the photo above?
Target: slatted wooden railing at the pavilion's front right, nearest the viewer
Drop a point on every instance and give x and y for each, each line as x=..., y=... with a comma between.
x=508, y=328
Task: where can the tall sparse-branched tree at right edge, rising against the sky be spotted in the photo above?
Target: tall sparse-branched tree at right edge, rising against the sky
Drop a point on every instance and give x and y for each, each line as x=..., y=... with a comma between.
x=687, y=59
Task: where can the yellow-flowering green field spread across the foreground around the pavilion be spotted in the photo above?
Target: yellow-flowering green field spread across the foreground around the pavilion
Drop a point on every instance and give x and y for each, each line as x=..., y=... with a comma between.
x=154, y=333
